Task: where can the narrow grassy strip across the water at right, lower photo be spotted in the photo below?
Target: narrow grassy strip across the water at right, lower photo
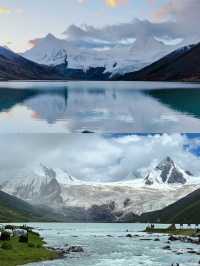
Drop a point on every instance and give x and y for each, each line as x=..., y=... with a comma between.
x=168, y=231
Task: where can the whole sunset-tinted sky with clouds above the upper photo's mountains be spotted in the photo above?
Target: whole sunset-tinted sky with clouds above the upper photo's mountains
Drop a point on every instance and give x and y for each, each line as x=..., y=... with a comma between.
x=25, y=20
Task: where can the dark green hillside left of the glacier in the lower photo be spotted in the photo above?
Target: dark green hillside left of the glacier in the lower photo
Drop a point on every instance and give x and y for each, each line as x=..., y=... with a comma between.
x=13, y=209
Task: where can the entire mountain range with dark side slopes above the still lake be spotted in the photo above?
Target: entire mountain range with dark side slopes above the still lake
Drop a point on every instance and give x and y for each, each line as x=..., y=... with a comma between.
x=55, y=59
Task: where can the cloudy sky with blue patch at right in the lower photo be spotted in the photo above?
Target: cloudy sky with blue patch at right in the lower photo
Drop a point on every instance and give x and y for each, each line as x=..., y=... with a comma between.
x=97, y=157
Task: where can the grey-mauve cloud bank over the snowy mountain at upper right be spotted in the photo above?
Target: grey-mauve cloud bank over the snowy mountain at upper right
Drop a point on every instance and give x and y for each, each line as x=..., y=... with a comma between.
x=178, y=19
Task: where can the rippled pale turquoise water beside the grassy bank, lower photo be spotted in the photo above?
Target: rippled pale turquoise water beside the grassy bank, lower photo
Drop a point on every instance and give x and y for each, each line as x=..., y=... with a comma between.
x=101, y=250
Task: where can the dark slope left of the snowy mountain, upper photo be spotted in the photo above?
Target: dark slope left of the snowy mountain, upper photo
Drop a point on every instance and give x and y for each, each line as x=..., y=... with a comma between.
x=15, y=67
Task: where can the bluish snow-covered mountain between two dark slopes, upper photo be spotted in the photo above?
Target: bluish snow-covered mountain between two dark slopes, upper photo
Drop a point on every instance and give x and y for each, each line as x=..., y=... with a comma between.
x=122, y=57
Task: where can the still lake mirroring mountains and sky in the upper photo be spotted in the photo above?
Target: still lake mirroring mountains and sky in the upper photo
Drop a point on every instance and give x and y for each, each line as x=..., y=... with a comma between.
x=104, y=107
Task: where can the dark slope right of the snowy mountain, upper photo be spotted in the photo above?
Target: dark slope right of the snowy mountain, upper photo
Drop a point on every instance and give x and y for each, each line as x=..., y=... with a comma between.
x=181, y=65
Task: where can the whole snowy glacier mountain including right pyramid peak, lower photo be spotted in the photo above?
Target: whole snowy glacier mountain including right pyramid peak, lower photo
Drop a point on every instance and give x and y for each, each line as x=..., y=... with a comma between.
x=85, y=201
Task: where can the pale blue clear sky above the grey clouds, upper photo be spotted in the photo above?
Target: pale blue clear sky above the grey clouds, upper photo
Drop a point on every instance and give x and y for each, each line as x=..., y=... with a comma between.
x=23, y=20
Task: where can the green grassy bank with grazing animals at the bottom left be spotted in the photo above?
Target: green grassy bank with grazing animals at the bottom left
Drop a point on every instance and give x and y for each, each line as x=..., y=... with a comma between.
x=21, y=253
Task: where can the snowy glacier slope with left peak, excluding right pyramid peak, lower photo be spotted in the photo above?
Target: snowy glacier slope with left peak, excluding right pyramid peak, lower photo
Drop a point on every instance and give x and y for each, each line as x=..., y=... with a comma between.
x=56, y=189
